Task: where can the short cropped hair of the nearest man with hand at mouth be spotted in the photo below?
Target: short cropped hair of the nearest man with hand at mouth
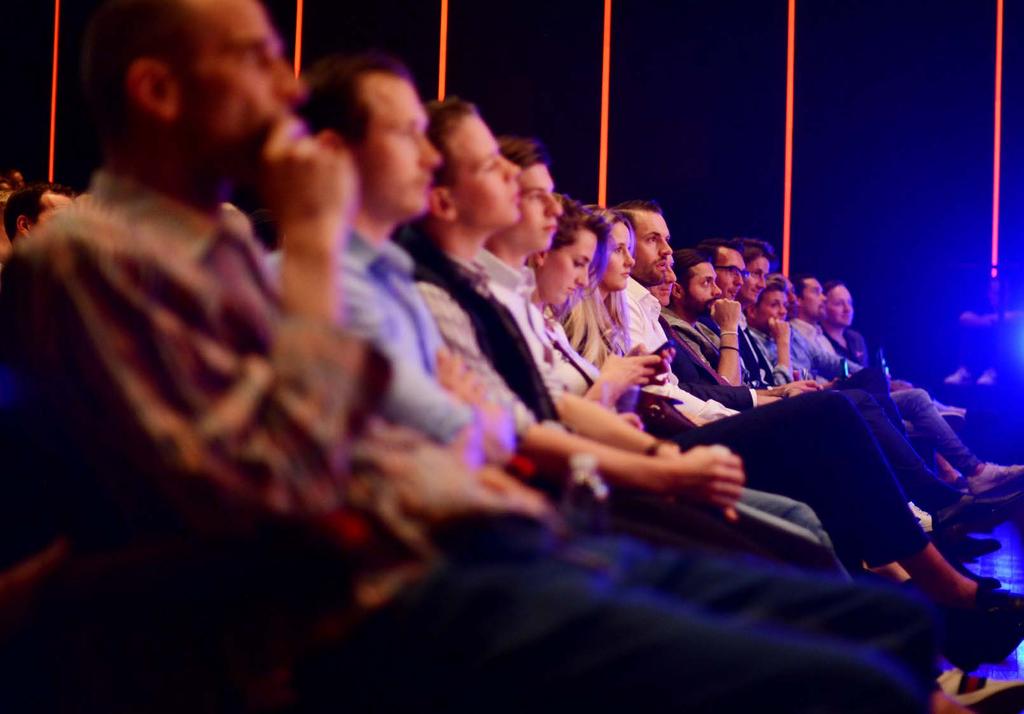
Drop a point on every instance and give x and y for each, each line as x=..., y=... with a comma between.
x=119, y=33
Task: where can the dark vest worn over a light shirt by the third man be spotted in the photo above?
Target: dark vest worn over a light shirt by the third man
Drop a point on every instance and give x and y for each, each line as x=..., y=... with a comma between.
x=497, y=332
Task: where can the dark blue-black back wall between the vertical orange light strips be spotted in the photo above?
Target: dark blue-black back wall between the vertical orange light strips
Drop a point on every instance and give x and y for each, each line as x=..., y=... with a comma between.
x=893, y=143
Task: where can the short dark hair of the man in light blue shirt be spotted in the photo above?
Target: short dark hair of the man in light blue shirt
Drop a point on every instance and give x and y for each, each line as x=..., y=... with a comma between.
x=335, y=99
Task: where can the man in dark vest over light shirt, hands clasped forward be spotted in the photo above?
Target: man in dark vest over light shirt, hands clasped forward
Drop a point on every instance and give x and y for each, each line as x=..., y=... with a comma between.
x=467, y=207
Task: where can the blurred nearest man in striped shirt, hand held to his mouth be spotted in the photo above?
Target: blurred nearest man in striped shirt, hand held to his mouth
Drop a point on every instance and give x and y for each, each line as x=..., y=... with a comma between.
x=230, y=411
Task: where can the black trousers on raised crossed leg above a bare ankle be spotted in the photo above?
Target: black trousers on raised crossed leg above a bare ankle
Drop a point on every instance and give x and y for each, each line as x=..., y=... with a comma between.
x=818, y=449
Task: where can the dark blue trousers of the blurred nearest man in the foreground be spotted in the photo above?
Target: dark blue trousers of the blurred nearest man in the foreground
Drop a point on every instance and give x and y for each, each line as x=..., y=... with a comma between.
x=611, y=625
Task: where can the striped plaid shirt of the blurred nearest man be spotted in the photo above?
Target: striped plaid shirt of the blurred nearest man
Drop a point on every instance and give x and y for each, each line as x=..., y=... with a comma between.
x=155, y=342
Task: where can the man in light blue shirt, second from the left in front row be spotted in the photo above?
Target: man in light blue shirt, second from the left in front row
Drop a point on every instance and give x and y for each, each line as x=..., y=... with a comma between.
x=382, y=305
